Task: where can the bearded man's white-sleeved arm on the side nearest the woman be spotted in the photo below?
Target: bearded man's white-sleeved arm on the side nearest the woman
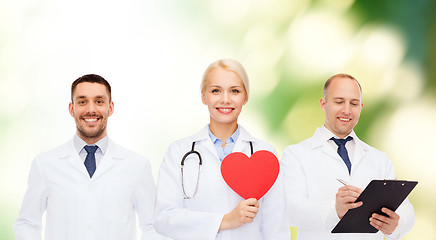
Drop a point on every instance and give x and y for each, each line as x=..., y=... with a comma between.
x=144, y=200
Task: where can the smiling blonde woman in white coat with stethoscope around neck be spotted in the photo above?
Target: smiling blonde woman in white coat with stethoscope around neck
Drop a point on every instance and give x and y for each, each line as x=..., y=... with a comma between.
x=195, y=202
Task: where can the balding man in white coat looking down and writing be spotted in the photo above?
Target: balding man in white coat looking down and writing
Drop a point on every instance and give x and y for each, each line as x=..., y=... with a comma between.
x=316, y=200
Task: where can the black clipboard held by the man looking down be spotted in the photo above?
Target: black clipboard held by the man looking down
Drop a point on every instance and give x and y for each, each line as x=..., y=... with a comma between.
x=378, y=194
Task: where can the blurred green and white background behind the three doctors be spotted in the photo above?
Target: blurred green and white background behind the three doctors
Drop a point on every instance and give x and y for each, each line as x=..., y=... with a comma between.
x=154, y=53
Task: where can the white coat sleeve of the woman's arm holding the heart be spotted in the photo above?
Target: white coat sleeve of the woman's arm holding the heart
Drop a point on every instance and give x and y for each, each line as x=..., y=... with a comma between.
x=173, y=219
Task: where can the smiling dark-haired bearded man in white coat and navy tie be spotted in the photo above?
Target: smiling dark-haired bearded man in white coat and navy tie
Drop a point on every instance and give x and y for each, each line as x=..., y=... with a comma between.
x=89, y=187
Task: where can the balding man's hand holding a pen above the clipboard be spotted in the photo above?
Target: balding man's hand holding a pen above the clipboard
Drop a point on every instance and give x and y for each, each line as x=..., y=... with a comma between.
x=346, y=197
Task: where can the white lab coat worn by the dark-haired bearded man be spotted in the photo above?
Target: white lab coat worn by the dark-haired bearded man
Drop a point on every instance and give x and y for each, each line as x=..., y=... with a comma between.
x=81, y=208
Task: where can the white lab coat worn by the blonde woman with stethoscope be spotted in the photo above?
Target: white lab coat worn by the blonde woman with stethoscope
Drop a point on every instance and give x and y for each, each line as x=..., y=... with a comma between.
x=200, y=218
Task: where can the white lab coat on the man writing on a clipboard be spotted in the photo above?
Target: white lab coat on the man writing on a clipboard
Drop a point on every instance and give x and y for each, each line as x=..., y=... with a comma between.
x=311, y=169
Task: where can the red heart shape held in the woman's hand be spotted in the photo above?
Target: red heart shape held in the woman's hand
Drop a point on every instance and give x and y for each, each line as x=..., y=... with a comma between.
x=250, y=177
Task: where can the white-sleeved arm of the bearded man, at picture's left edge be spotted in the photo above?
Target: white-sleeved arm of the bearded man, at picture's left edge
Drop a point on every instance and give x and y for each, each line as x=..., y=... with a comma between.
x=28, y=225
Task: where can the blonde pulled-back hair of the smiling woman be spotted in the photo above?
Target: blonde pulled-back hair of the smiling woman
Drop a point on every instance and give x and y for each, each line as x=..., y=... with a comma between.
x=230, y=65
